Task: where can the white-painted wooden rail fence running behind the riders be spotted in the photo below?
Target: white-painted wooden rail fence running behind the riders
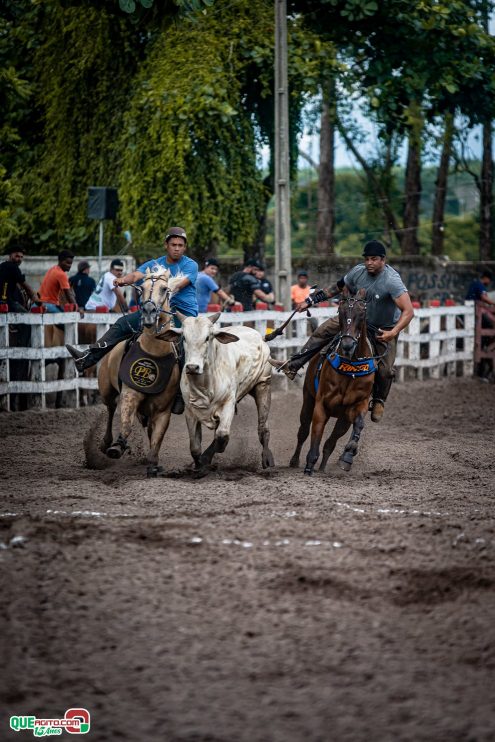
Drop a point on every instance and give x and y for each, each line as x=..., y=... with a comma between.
x=439, y=341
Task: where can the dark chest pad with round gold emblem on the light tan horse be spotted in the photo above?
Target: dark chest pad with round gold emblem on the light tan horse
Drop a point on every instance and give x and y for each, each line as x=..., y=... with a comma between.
x=146, y=373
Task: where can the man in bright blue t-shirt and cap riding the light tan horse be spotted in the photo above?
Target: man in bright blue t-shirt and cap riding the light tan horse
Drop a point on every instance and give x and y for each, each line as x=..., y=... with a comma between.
x=130, y=324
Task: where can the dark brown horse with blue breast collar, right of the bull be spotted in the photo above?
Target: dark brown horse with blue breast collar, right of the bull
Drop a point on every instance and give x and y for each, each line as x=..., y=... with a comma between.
x=343, y=394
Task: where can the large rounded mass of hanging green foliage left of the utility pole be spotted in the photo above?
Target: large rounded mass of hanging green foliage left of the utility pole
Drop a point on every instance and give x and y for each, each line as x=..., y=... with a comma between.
x=188, y=149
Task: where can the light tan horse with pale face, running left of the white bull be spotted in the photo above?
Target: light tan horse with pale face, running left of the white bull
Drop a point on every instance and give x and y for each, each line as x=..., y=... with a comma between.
x=151, y=409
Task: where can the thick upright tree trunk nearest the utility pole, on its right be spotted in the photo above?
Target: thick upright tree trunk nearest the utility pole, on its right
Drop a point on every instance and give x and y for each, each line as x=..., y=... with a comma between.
x=325, y=227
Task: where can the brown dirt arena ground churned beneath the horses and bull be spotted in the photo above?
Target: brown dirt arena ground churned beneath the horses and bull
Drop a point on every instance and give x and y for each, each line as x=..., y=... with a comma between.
x=251, y=606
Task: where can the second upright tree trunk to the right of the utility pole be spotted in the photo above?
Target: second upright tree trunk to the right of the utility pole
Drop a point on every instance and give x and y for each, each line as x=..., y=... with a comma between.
x=410, y=244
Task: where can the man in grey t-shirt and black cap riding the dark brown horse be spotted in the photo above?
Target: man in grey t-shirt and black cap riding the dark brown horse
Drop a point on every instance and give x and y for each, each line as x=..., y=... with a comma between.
x=389, y=311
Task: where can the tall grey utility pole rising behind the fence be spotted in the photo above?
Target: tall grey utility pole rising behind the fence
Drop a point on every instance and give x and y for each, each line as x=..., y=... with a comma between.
x=283, y=262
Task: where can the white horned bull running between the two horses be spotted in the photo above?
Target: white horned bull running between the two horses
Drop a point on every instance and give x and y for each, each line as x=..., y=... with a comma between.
x=220, y=369
